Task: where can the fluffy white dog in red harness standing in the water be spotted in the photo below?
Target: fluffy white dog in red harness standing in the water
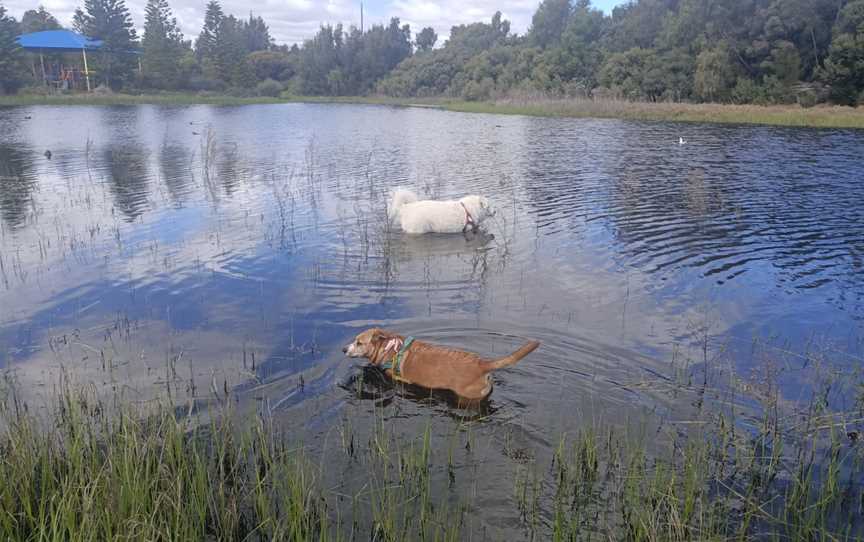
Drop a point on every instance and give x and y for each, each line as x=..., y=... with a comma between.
x=429, y=216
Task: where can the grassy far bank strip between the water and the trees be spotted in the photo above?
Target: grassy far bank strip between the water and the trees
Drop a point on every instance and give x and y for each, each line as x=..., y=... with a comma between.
x=792, y=115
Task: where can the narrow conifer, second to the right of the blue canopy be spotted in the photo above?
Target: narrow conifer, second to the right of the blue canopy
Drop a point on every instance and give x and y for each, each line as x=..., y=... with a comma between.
x=163, y=46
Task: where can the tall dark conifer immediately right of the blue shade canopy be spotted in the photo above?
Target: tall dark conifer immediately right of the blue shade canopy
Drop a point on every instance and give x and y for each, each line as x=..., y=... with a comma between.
x=109, y=21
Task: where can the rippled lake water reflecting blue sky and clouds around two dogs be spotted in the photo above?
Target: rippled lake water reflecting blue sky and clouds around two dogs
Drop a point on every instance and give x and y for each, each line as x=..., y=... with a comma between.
x=232, y=251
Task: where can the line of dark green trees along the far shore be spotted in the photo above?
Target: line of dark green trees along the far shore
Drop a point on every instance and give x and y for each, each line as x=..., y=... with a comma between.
x=747, y=51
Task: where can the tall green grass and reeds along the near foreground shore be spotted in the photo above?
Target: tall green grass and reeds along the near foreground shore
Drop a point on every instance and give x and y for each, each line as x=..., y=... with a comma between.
x=171, y=476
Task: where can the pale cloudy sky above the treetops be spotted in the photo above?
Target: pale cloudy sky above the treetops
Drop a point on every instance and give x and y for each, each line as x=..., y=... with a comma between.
x=292, y=21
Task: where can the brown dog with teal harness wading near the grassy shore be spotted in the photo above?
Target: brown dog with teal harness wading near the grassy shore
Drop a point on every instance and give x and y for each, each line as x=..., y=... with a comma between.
x=430, y=366
